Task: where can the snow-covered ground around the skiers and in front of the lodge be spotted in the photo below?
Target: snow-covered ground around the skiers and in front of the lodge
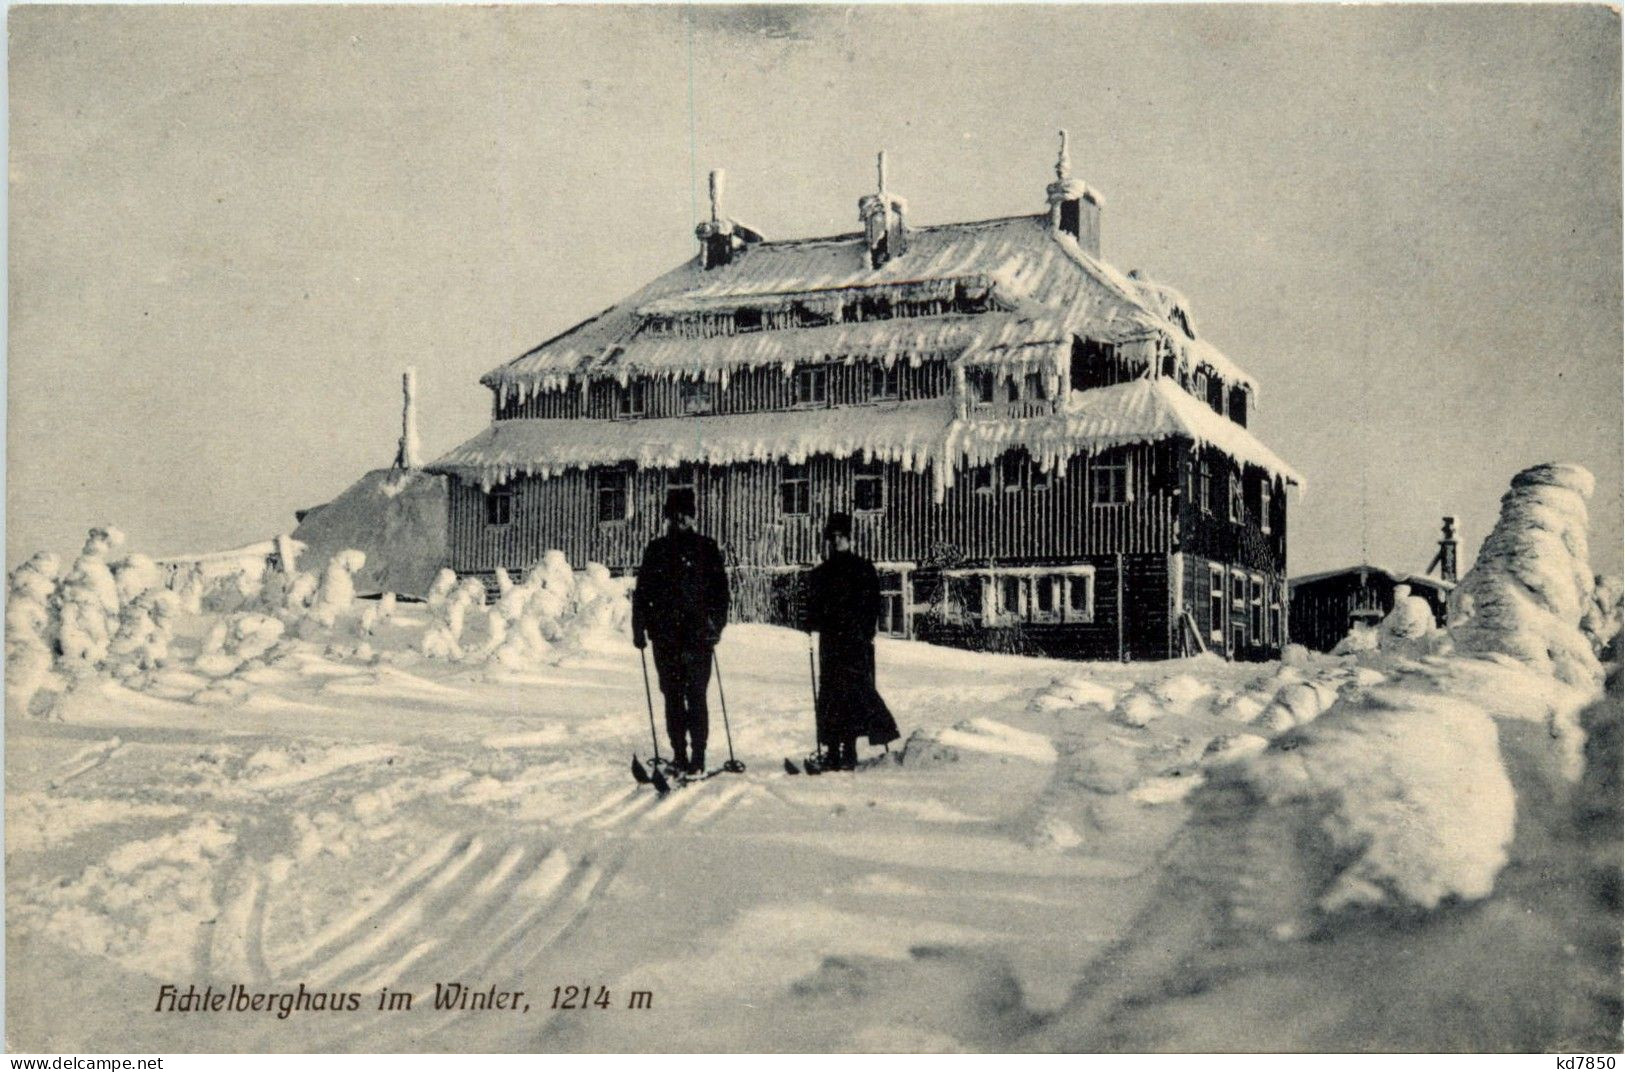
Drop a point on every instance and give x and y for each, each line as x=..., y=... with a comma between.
x=1402, y=849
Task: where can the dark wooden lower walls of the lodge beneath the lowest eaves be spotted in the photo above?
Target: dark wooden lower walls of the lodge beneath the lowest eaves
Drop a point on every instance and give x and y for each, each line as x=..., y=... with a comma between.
x=990, y=564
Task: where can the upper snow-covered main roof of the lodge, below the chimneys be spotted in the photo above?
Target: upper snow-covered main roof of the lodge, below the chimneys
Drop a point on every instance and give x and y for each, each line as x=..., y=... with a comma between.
x=1042, y=285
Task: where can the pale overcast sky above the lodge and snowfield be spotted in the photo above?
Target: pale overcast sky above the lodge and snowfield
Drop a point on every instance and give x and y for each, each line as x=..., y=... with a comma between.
x=233, y=228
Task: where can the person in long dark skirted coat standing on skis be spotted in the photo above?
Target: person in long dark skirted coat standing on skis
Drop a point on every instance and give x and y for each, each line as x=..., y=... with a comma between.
x=844, y=612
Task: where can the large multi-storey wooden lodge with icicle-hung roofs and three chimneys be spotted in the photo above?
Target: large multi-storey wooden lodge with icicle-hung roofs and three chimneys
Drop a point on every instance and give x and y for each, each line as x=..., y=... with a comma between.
x=1039, y=451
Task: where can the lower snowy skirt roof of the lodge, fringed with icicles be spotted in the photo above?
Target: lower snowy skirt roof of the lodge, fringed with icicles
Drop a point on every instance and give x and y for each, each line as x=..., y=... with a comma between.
x=919, y=434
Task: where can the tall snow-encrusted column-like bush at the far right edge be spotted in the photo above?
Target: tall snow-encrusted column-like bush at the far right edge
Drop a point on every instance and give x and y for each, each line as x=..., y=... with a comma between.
x=1533, y=584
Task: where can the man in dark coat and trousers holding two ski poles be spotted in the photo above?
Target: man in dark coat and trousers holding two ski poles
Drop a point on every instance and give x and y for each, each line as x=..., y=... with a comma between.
x=682, y=605
